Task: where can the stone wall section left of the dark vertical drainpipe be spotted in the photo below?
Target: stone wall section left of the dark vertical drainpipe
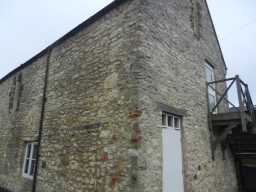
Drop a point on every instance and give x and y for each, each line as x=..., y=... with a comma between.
x=21, y=99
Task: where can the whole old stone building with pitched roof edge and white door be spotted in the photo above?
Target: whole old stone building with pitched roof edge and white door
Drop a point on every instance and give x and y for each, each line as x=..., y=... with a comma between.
x=93, y=111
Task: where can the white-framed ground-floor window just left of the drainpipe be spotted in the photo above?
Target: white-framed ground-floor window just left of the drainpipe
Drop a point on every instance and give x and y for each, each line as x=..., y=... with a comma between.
x=29, y=160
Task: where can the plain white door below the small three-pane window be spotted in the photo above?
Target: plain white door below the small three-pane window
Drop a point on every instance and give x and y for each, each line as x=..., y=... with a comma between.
x=172, y=160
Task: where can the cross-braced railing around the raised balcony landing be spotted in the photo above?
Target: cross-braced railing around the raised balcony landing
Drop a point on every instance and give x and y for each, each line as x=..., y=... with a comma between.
x=245, y=105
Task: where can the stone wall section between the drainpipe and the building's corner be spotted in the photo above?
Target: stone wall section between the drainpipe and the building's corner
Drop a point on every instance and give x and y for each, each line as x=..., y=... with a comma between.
x=90, y=123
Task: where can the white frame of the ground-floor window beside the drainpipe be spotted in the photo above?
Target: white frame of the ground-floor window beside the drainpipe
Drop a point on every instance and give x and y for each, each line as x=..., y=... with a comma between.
x=30, y=159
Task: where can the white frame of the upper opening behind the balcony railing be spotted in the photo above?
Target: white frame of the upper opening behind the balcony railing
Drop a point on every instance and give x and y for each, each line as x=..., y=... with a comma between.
x=211, y=92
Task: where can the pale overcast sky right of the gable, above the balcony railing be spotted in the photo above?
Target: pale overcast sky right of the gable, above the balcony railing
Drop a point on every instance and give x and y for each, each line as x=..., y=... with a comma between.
x=235, y=23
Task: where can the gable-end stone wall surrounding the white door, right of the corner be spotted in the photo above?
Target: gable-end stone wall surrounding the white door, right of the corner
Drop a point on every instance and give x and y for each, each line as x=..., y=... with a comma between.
x=173, y=74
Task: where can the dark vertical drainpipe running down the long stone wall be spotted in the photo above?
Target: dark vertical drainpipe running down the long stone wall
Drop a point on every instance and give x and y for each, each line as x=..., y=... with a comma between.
x=40, y=130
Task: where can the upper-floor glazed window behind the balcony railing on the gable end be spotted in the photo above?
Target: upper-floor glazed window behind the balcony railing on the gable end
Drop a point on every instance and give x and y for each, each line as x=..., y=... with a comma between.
x=209, y=75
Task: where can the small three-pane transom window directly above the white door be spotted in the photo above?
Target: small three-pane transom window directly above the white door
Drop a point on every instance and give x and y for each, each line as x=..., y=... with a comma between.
x=171, y=121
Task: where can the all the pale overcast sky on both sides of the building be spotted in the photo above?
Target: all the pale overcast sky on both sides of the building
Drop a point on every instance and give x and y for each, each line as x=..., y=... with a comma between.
x=29, y=26
